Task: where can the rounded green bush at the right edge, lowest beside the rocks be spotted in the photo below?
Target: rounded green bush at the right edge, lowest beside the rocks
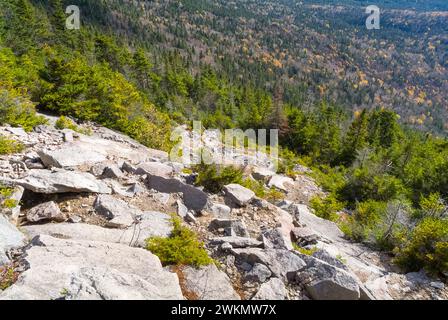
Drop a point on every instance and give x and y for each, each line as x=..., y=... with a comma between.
x=426, y=248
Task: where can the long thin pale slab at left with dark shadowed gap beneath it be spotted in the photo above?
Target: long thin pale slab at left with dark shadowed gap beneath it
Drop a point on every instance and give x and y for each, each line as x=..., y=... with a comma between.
x=62, y=181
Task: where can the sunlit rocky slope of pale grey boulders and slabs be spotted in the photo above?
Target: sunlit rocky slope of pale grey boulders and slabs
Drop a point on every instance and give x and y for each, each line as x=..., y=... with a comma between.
x=87, y=204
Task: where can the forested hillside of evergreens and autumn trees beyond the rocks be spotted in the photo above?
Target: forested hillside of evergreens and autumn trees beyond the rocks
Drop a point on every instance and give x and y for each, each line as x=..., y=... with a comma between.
x=346, y=100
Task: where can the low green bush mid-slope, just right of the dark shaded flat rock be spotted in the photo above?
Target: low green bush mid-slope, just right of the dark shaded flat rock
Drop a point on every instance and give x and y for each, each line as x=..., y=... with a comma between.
x=213, y=177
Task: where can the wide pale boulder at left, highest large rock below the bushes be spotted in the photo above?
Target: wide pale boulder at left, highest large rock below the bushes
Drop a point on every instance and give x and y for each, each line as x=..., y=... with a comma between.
x=70, y=156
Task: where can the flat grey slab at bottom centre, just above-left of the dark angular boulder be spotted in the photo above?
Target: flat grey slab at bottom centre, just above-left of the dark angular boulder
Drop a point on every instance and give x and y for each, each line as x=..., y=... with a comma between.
x=282, y=263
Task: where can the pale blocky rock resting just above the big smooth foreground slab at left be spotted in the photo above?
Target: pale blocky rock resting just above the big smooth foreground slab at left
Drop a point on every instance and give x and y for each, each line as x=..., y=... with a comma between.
x=119, y=213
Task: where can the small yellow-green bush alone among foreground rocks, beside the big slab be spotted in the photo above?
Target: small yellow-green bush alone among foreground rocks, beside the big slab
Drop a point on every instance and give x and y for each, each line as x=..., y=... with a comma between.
x=181, y=248
